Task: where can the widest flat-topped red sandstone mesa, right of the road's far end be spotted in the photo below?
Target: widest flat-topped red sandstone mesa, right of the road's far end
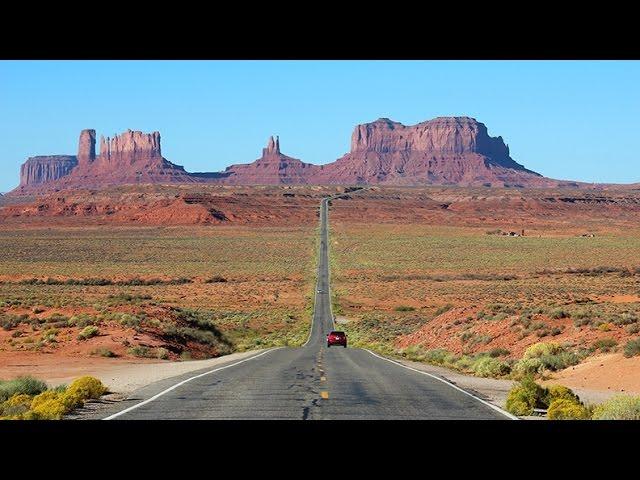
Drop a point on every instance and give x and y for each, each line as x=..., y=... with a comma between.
x=446, y=150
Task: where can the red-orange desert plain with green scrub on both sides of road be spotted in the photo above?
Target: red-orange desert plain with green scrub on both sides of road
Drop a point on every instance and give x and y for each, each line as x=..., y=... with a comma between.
x=91, y=279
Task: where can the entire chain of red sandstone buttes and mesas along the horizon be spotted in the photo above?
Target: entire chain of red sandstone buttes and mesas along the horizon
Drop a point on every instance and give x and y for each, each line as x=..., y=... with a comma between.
x=442, y=151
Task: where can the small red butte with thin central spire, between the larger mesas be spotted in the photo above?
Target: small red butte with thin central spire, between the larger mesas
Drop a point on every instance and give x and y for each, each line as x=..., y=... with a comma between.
x=272, y=168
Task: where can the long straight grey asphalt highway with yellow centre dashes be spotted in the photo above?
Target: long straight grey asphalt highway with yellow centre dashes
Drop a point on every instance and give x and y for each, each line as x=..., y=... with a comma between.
x=311, y=382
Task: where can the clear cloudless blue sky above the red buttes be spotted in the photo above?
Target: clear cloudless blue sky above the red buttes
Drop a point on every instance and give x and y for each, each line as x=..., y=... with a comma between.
x=576, y=120
